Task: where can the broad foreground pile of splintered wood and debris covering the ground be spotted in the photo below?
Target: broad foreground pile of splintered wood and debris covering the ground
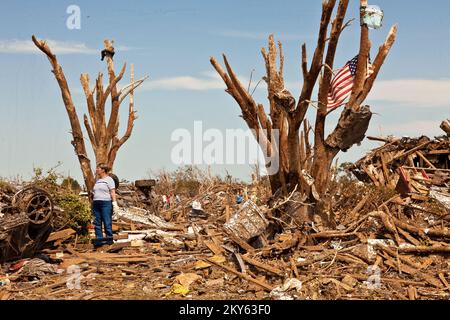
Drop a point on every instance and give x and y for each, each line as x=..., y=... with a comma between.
x=385, y=246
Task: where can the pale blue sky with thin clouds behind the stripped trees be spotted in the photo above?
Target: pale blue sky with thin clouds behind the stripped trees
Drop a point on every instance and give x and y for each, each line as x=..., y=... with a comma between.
x=171, y=41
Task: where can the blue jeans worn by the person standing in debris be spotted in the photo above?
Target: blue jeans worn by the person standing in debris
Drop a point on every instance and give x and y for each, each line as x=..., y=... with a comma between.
x=103, y=216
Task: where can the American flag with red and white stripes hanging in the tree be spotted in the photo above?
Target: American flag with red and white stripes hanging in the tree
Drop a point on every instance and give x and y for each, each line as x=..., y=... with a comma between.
x=342, y=84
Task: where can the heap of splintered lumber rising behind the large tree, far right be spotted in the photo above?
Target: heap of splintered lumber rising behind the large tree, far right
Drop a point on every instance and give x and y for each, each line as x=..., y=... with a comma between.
x=418, y=168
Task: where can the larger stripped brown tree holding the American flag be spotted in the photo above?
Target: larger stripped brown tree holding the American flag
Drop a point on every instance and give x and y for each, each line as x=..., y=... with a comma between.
x=302, y=165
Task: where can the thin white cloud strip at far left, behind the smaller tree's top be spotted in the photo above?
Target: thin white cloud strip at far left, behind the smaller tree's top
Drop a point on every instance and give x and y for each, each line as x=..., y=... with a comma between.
x=58, y=47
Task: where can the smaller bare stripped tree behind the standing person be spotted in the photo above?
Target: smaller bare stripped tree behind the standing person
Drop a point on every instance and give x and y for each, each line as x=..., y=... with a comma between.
x=102, y=135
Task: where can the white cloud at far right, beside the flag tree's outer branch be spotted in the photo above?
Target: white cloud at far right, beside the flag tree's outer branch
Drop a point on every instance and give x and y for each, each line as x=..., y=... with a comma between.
x=413, y=92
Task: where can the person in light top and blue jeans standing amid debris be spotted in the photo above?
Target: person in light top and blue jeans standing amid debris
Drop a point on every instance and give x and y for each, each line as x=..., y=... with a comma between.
x=104, y=202
